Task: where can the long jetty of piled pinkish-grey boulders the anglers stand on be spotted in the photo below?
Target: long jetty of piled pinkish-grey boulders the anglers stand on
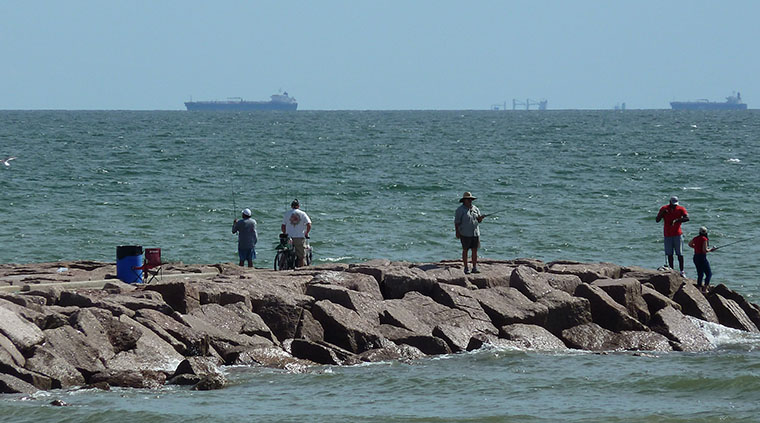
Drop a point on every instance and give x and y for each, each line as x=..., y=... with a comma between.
x=181, y=329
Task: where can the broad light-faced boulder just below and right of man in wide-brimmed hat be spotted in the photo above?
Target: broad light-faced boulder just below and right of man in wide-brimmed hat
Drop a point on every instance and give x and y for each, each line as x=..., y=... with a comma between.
x=507, y=305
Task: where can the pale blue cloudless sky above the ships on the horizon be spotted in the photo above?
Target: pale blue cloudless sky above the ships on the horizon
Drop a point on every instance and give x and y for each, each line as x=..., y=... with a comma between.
x=438, y=54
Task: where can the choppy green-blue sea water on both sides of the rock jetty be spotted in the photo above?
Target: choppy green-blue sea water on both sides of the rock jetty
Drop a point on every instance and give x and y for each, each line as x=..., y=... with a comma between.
x=568, y=185
